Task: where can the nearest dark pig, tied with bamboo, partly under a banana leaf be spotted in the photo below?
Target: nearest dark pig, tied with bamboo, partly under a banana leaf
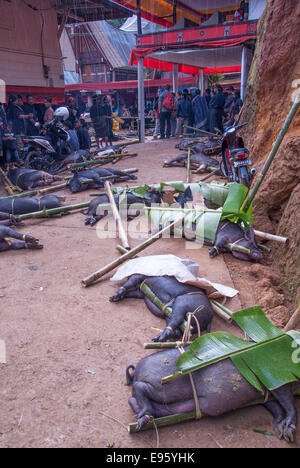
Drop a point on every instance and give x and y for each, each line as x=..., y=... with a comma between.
x=220, y=388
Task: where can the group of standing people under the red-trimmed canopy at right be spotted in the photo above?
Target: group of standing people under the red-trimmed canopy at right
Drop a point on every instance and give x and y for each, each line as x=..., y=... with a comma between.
x=211, y=112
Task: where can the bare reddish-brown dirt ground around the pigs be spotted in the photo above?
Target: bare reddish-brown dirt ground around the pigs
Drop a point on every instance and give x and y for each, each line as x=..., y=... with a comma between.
x=68, y=347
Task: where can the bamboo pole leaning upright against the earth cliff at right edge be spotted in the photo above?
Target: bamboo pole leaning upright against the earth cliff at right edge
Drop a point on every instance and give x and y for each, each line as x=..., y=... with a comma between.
x=272, y=154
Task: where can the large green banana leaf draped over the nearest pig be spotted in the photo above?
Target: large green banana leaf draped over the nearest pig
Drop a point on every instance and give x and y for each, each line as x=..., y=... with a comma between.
x=267, y=362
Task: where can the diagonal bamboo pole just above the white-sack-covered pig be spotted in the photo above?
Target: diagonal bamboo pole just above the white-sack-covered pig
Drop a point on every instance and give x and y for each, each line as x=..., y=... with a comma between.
x=111, y=266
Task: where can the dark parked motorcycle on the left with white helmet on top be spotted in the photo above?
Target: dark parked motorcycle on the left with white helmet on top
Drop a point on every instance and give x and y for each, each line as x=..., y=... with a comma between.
x=46, y=152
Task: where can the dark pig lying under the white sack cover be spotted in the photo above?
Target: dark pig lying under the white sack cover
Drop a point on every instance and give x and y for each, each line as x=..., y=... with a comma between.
x=183, y=298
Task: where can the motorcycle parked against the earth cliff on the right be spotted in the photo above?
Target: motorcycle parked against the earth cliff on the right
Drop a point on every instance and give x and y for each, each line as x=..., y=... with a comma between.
x=235, y=157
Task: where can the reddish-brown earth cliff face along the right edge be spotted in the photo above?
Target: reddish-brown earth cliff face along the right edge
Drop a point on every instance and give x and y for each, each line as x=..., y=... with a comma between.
x=273, y=83
